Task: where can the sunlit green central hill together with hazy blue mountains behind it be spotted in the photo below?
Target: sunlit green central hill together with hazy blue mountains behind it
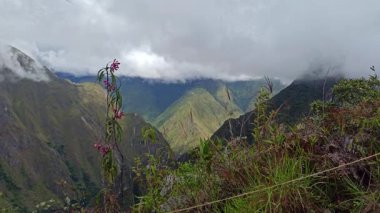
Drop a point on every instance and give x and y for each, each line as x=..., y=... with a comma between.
x=186, y=111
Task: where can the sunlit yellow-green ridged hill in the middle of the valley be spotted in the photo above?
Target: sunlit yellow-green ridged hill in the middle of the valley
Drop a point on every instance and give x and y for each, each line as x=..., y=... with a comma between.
x=194, y=116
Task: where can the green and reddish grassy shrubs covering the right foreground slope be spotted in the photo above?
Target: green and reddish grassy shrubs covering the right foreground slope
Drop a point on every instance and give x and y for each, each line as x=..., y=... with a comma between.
x=277, y=171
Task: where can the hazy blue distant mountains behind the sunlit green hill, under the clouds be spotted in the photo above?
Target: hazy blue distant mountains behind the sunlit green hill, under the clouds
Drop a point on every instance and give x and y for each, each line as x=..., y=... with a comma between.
x=150, y=98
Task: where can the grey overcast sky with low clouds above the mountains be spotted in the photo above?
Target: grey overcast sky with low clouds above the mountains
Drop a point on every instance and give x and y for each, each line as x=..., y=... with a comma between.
x=178, y=39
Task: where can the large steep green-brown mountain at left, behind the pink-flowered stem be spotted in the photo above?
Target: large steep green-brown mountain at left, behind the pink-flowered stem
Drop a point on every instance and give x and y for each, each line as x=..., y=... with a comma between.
x=47, y=130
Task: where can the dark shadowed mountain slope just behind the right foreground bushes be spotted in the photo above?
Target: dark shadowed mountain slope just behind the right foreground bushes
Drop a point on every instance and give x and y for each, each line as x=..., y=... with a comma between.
x=294, y=101
